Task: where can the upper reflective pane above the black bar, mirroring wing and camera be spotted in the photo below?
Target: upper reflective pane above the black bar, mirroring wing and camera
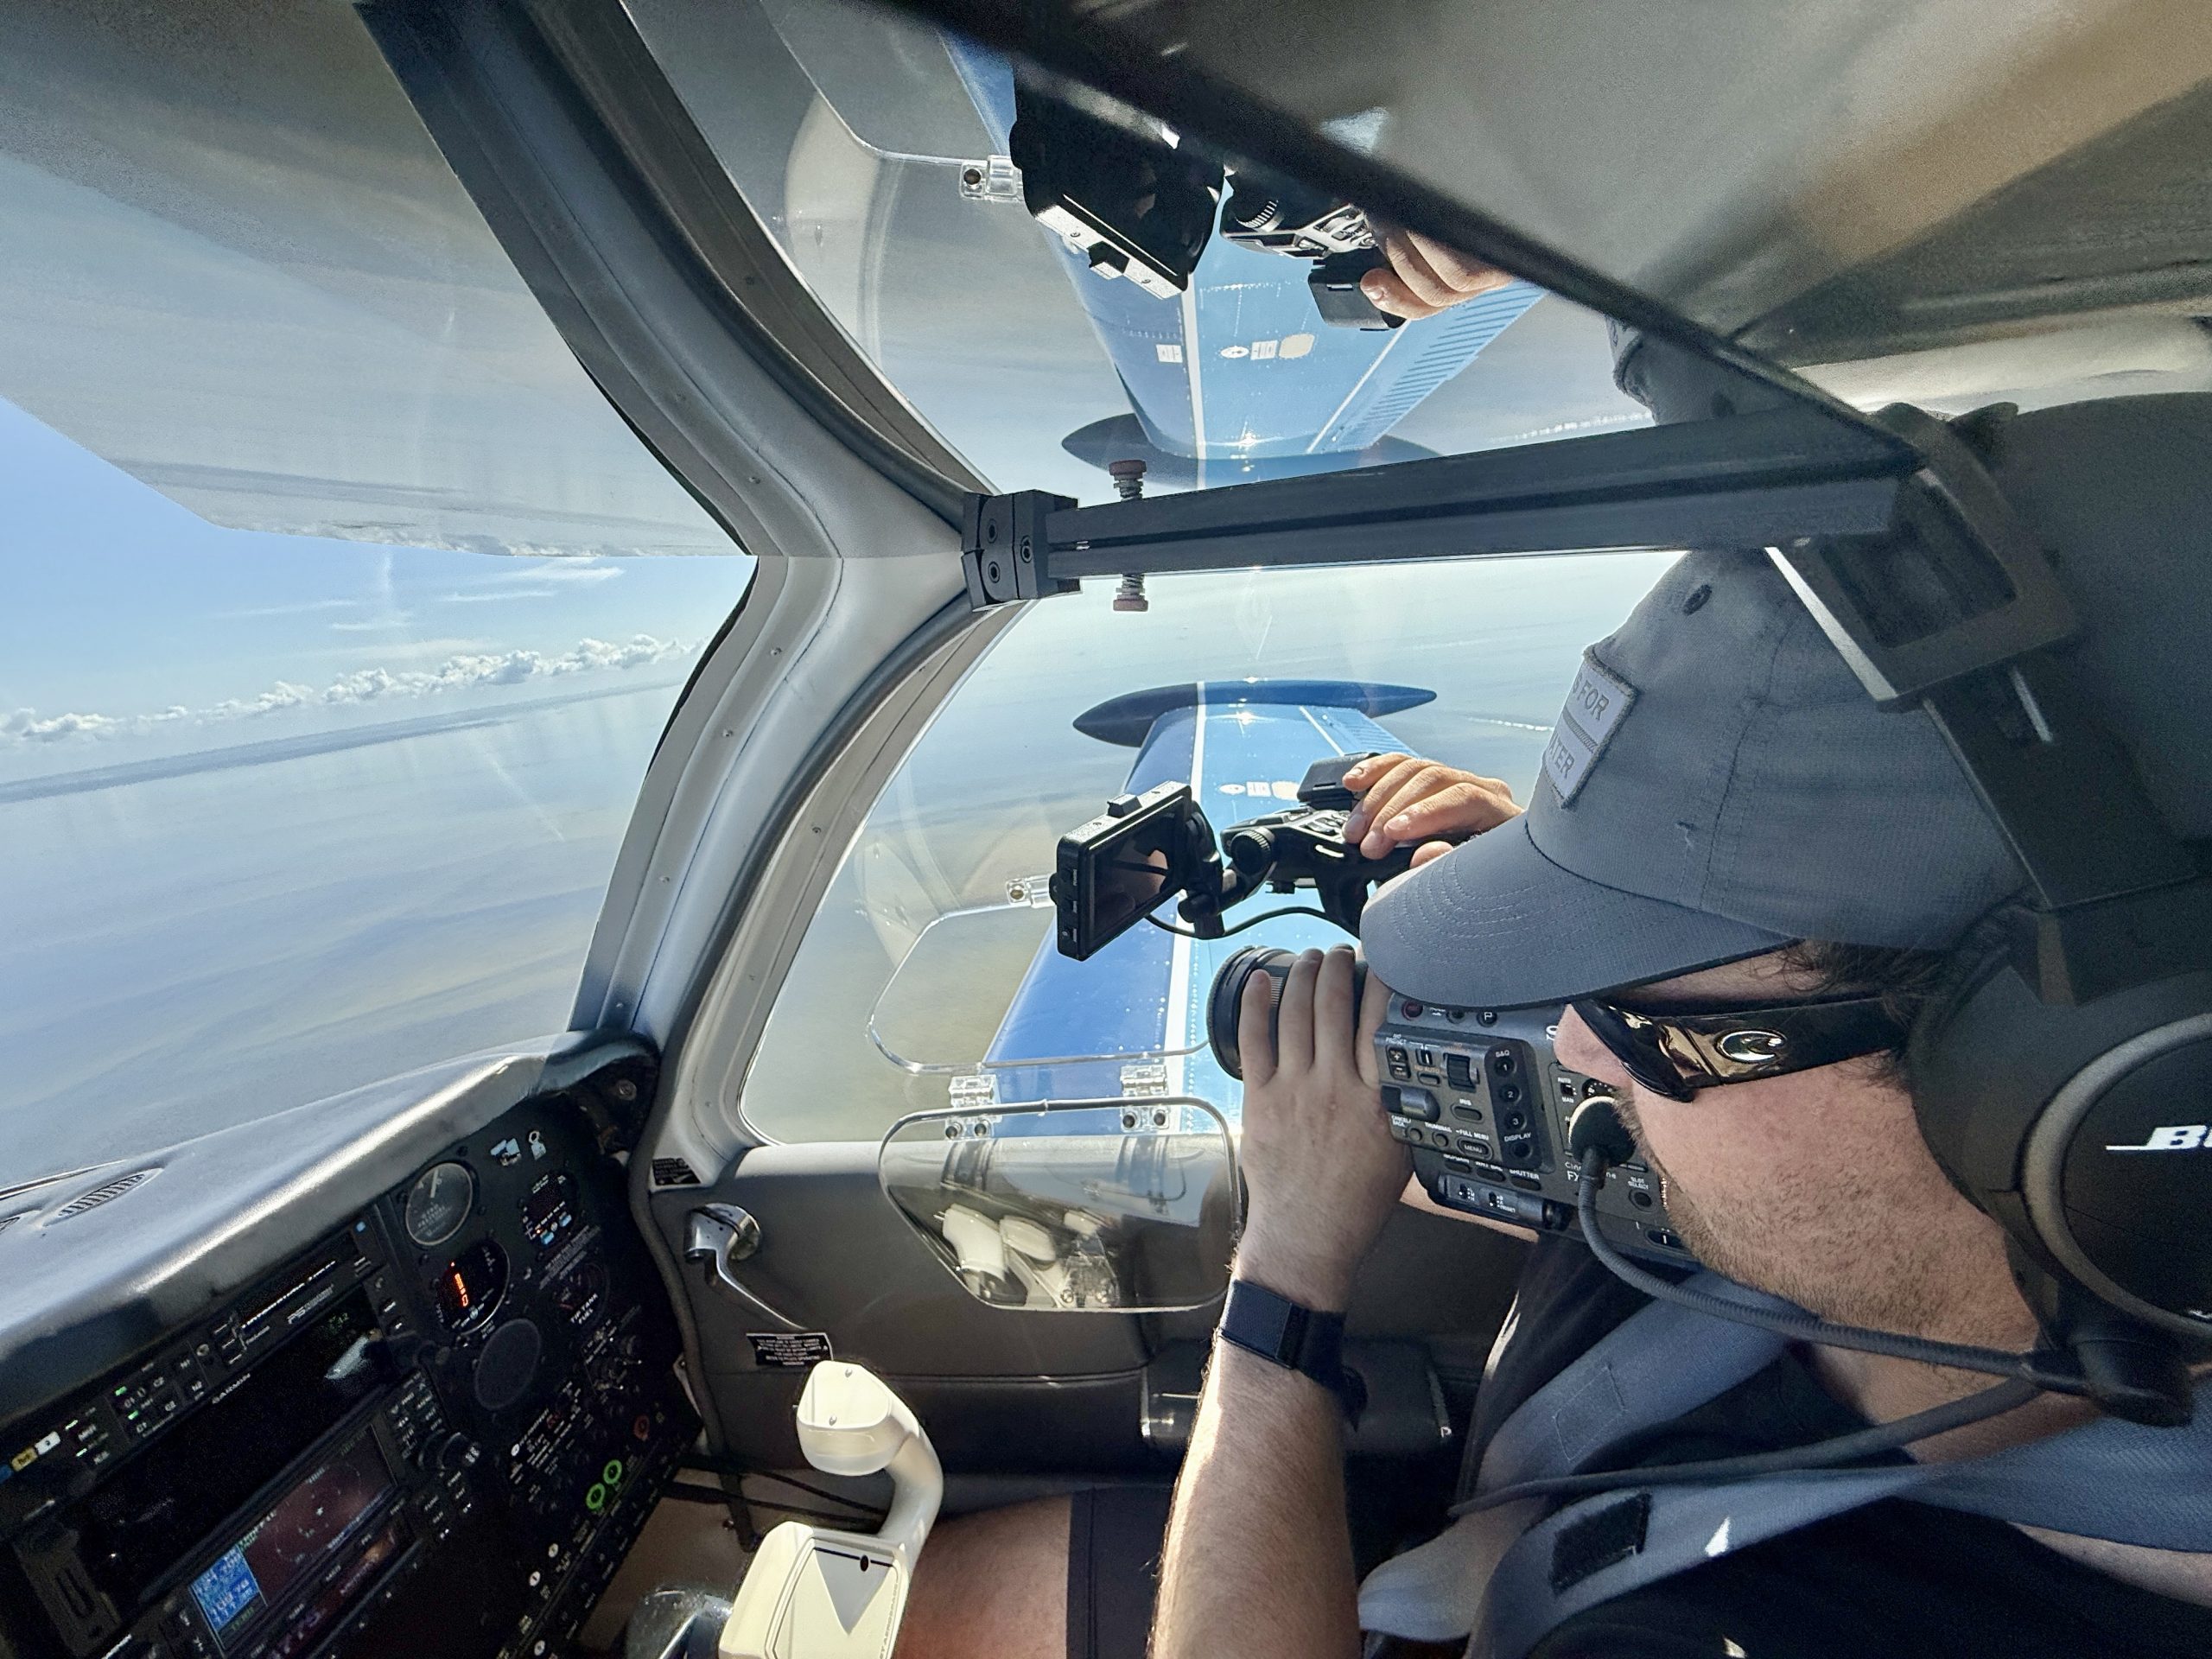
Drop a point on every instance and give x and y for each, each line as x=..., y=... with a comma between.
x=881, y=154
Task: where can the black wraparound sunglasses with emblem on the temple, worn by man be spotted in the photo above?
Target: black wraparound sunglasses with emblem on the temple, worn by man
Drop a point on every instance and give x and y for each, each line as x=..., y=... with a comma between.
x=1678, y=1052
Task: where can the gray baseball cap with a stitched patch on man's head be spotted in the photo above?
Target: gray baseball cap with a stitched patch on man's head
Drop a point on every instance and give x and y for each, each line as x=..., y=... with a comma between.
x=1720, y=784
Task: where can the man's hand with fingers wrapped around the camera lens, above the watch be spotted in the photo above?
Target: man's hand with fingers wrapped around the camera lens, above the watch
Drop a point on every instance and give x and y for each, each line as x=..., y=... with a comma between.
x=1322, y=1169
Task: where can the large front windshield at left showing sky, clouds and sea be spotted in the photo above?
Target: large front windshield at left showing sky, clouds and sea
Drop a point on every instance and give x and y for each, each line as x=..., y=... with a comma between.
x=328, y=654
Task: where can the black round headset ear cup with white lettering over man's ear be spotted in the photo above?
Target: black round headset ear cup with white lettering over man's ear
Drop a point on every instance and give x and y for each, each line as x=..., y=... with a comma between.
x=2085, y=1131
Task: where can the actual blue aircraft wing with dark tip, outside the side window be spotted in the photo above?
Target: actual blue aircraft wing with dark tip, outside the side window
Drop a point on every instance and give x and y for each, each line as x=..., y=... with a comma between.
x=1142, y=1001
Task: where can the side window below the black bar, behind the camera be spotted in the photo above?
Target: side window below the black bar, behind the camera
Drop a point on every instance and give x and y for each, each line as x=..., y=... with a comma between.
x=930, y=972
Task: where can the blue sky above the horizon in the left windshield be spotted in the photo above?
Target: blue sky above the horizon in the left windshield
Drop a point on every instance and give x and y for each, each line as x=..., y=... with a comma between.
x=125, y=605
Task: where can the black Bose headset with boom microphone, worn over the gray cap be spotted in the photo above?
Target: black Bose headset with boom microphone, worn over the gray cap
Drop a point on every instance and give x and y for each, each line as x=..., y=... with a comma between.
x=2063, y=1076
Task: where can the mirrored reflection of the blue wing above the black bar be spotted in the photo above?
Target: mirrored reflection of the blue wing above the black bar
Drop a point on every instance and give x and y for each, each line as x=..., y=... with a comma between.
x=1242, y=377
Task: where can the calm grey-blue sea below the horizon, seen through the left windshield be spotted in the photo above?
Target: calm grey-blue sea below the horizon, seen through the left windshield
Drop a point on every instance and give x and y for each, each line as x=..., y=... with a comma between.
x=222, y=941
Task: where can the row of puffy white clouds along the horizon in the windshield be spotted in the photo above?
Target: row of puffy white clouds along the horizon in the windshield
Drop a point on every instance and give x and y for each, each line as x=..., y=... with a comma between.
x=459, y=674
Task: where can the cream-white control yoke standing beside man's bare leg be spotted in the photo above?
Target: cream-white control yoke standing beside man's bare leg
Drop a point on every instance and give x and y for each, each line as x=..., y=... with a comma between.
x=817, y=1594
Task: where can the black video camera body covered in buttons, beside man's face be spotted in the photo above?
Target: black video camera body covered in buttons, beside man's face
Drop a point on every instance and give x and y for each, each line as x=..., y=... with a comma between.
x=1483, y=1103
